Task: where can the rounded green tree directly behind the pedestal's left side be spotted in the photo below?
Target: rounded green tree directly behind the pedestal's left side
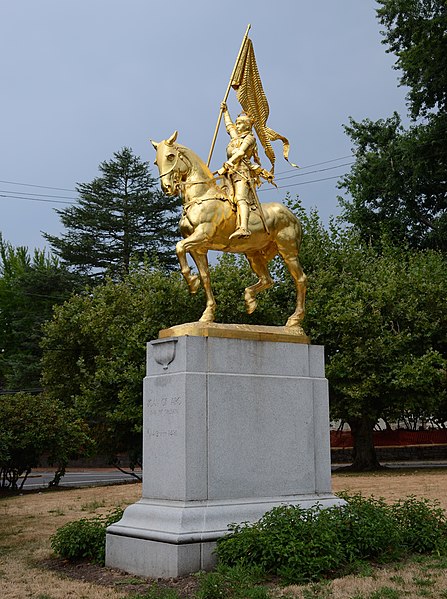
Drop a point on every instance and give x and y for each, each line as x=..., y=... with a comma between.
x=94, y=352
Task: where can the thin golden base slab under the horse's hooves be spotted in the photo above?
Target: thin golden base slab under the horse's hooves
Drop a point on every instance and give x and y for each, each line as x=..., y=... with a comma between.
x=236, y=331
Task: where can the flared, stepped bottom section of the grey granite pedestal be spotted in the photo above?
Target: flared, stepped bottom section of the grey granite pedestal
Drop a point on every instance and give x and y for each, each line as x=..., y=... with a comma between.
x=164, y=539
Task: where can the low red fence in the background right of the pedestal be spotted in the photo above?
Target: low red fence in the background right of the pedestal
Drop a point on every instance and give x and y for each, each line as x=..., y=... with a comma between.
x=397, y=438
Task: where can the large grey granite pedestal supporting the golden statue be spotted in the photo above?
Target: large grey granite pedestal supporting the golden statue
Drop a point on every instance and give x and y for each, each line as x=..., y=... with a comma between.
x=232, y=427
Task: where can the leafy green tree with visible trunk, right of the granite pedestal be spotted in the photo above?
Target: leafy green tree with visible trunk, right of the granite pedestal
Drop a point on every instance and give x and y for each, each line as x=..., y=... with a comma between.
x=381, y=318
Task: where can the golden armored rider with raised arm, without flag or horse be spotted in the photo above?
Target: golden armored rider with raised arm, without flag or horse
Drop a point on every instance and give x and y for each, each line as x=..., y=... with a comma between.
x=239, y=168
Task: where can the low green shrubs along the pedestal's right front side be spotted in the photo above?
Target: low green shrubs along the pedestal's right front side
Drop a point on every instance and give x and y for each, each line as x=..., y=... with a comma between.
x=305, y=545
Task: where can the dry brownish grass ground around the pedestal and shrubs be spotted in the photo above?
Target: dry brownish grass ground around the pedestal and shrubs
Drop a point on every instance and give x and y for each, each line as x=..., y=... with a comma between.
x=28, y=568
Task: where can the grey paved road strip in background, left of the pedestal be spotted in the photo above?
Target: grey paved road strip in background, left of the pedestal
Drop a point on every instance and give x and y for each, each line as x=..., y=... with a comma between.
x=85, y=478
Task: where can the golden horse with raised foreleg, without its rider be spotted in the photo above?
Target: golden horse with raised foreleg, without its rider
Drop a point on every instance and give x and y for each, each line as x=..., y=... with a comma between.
x=208, y=220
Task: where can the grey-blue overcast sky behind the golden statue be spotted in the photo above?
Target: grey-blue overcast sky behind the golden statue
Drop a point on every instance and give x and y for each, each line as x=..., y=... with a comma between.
x=82, y=79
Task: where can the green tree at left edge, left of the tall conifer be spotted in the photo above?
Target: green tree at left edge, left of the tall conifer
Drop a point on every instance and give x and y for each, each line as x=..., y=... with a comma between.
x=29, y=287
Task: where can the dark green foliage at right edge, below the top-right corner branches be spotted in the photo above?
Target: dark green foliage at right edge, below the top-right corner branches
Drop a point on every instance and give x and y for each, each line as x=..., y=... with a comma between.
x=397, y=184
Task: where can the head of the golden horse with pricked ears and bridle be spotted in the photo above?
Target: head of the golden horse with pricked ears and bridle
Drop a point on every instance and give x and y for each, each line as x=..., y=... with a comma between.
x=171, y=164
